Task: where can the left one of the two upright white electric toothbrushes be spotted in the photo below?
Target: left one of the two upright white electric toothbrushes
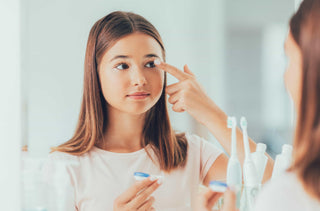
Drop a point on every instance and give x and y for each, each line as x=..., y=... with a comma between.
x=234, y=175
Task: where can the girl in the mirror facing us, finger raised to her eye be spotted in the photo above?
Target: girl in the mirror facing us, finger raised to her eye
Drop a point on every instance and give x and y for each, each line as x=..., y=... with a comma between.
x=124, y=126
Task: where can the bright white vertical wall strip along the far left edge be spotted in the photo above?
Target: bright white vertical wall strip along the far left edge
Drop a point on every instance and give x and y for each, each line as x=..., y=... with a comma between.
x=10, y=109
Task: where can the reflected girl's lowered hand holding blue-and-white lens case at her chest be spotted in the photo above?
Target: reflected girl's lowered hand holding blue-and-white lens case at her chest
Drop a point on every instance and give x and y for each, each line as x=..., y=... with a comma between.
x=137, y=197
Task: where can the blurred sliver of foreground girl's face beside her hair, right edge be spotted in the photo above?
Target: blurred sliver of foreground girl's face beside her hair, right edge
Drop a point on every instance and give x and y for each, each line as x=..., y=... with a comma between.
x=293, y=74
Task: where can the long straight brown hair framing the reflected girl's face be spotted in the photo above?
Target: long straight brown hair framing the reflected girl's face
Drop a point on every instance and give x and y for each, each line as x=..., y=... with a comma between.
x=170, y=148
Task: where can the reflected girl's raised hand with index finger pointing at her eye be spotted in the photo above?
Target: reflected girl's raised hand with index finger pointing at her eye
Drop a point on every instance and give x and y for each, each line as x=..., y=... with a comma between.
x=187, y=94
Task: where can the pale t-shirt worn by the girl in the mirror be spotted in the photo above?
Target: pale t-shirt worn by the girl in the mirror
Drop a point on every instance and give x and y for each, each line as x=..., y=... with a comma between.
x=98, y=176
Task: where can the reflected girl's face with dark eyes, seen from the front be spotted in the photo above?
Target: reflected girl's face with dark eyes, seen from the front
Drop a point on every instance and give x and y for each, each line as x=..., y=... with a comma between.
x=129, y=80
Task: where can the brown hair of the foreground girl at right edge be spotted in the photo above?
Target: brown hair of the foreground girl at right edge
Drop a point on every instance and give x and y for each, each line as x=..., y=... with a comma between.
x=305, y=28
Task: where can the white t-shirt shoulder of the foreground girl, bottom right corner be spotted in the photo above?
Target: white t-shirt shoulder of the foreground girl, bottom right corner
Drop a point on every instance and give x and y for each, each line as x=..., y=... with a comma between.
x=285, y=193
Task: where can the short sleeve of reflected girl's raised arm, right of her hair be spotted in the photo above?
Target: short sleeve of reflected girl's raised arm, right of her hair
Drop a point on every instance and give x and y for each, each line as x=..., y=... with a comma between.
x=207, y=151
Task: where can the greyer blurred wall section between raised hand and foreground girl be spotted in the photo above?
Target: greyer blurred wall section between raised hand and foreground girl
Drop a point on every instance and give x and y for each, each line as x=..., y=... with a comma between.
x=255, y=59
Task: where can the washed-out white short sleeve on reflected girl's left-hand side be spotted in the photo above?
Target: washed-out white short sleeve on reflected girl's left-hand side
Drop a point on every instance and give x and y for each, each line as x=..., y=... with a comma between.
x=57, y=173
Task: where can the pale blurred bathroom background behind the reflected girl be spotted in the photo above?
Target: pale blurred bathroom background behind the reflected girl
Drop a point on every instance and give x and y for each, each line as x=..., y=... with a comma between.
x=235, y=48
